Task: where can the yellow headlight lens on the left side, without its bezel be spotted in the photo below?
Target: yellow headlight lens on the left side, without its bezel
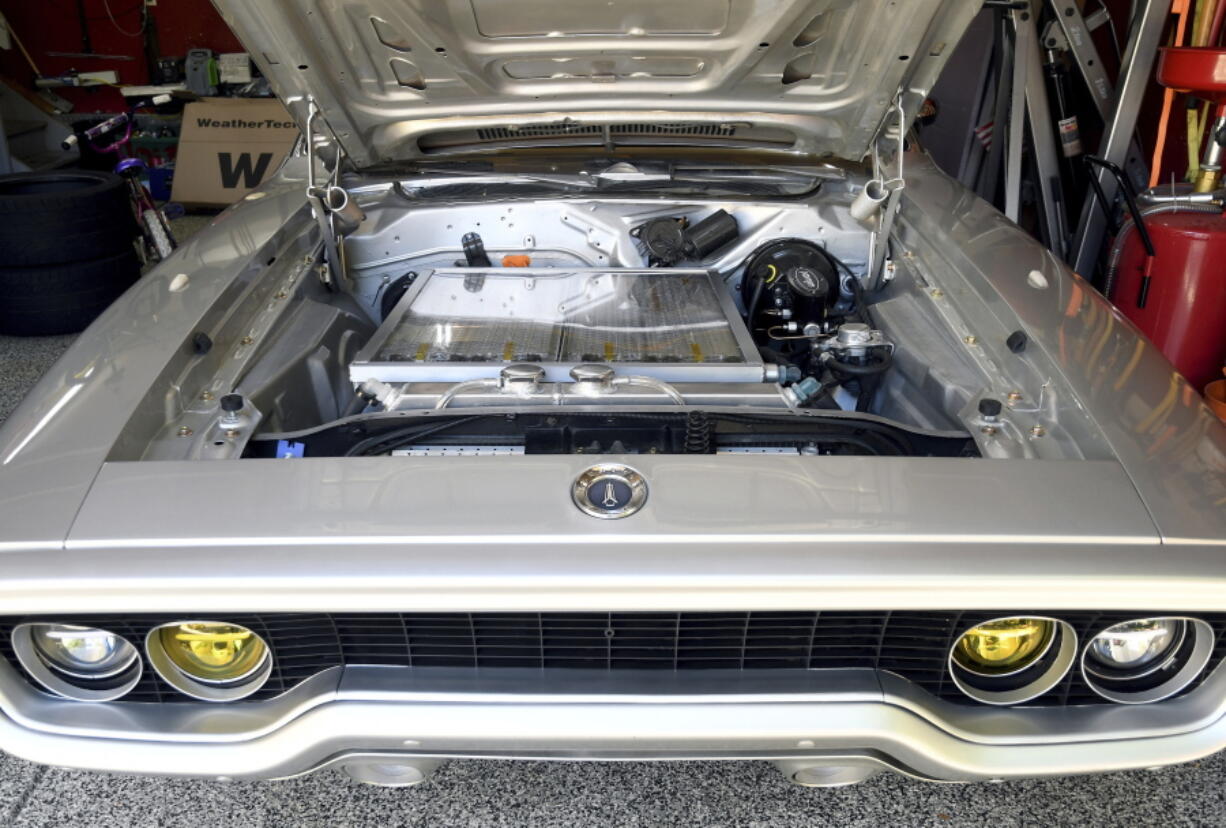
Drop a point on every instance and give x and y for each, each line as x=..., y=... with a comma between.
x=213, y=652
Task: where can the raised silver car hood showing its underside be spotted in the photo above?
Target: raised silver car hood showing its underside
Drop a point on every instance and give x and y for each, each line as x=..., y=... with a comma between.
x=398, y=80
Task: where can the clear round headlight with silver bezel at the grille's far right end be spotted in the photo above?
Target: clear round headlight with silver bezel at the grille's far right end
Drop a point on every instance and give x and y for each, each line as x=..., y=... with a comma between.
x=1147, y=659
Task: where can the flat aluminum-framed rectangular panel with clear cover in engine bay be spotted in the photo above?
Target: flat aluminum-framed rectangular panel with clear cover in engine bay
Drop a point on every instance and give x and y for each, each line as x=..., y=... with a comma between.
x=462, y=324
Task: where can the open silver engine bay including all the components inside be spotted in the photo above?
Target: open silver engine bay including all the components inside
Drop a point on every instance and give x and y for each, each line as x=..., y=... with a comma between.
x=572, y=324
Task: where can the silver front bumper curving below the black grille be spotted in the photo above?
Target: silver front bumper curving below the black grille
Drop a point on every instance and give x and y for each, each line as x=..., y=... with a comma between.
x=854, y=717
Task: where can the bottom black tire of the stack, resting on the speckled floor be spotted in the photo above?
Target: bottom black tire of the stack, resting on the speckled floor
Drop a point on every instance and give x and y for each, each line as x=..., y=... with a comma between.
x=63, y=299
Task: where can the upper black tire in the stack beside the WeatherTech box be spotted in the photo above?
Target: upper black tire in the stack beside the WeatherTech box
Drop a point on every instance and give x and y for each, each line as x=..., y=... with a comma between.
x=63, y=217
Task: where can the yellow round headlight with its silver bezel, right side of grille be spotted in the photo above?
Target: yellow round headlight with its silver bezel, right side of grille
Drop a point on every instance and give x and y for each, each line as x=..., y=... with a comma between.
x=1012, y=661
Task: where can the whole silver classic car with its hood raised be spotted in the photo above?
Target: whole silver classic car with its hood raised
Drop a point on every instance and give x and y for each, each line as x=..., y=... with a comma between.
x=611, y=381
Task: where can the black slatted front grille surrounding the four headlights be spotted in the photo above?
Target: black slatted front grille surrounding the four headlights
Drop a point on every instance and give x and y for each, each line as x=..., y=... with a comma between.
x=914, y=646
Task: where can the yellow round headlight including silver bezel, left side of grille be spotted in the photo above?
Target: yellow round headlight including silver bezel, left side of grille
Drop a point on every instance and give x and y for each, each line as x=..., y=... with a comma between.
x=210, y=661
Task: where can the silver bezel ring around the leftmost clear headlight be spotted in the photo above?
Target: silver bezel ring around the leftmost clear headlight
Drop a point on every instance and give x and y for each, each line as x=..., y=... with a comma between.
x=79, y=685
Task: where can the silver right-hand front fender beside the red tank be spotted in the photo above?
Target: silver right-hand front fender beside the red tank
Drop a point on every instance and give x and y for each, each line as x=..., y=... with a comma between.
x=1162, y=431
